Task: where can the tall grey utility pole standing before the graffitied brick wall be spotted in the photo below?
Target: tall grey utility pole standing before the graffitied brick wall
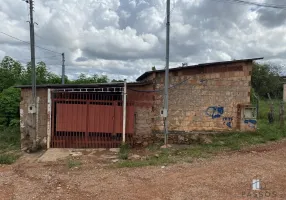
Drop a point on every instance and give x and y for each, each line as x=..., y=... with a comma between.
x=165, y=111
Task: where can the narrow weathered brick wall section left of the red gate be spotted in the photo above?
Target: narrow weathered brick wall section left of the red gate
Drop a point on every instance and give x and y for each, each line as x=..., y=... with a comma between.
x=29, y=139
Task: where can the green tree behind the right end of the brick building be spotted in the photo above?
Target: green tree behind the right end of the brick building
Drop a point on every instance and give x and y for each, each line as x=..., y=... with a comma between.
x=266, y=79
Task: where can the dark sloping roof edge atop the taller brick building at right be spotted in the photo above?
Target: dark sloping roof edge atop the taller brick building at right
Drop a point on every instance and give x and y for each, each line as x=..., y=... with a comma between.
x=140, y=78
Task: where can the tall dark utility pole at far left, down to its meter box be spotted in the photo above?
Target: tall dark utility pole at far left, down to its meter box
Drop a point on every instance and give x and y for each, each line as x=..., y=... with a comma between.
x=32, y=42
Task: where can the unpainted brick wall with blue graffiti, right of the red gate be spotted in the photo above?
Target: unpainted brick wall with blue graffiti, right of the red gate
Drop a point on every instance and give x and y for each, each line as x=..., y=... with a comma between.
x=194, y=104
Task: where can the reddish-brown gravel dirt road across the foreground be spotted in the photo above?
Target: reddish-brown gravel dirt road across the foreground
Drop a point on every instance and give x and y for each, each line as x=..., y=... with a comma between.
x=227, y=176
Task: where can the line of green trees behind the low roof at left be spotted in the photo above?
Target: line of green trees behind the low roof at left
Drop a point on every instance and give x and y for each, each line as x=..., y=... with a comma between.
x=13, y=73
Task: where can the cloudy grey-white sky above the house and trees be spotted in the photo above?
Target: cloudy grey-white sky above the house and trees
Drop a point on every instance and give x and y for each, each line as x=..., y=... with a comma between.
x=124, y=38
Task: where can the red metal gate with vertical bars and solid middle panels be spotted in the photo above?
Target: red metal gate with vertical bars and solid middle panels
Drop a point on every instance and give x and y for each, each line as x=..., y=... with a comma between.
x=89, y=120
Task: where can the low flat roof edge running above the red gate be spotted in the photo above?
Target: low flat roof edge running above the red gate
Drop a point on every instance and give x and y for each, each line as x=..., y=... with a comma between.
x=113, y=84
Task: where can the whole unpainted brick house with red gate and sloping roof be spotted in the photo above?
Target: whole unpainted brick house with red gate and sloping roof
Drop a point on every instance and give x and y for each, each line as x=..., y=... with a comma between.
x=209, y=97
